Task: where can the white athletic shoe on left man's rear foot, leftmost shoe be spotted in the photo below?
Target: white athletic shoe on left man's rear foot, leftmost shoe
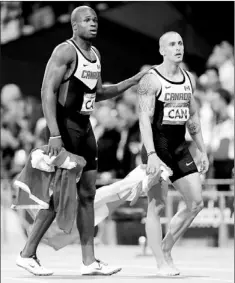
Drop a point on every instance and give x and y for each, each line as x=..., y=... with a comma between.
x=32, y=265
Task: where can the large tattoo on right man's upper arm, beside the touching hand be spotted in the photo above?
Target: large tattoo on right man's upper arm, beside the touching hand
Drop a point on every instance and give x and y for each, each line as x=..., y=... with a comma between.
x=146, y=94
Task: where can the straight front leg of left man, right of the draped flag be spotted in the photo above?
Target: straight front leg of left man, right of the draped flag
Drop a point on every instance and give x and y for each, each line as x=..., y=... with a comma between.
x=85, y=215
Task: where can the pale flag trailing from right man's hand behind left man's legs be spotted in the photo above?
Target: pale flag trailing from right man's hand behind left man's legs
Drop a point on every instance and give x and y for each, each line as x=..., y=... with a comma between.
x=107, y=199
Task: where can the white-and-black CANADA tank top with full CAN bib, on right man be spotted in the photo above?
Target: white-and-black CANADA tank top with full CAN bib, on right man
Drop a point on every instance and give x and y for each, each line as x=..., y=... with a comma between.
x=171, y=111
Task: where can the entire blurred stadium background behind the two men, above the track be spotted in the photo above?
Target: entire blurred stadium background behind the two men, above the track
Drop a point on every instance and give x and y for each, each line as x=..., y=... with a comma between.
x=128, y=42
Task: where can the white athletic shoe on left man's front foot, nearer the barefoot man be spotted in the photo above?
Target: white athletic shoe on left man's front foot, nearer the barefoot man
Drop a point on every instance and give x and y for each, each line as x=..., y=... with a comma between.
x=98, y=268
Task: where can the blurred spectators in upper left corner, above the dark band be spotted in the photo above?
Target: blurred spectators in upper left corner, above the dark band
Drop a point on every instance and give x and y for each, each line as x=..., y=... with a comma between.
x=26, y=17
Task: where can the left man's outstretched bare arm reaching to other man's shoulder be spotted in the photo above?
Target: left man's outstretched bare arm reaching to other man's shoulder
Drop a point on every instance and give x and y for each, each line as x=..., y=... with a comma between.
x=109, y=91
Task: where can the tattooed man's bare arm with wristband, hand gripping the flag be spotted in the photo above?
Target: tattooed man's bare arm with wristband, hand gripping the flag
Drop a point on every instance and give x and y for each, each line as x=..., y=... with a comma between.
x=147, y=89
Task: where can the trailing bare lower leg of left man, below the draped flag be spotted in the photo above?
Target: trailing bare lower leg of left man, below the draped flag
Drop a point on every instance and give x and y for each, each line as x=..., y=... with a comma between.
x=41, y=224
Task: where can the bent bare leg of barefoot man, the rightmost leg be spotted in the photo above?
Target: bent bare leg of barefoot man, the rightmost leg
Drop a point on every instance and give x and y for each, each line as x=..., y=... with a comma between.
x=191, y=190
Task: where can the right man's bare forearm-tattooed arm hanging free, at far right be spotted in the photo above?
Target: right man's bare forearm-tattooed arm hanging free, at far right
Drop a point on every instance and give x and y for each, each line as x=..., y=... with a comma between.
x=194, y=128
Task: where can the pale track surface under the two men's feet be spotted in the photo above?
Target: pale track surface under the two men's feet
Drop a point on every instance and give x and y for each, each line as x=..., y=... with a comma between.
x=197, y=265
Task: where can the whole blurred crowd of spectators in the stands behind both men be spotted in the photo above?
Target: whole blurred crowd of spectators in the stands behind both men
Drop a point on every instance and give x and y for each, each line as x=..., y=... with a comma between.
x=115, y=121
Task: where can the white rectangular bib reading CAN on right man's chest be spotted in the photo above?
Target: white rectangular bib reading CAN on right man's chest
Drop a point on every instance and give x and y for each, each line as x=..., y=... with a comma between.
x=175, y=115
